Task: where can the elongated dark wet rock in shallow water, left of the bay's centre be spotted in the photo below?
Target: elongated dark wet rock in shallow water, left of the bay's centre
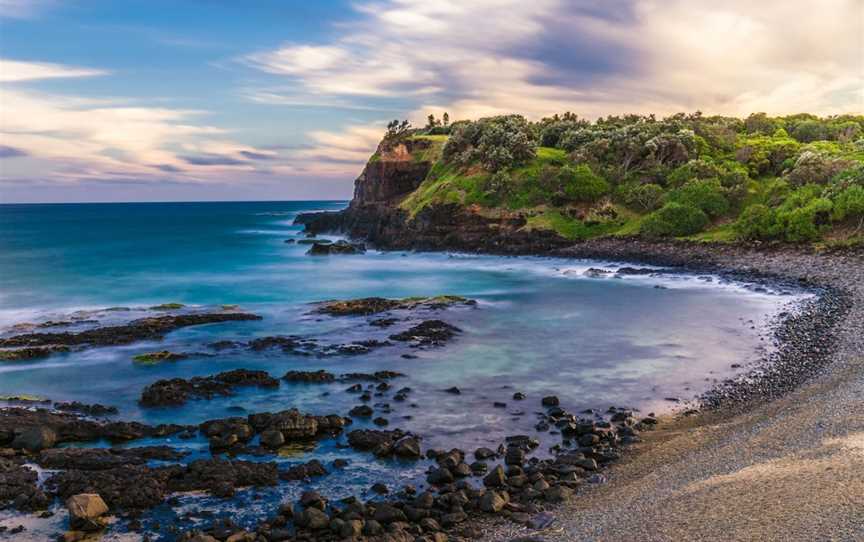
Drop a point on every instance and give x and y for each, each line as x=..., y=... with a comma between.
x=177, y=391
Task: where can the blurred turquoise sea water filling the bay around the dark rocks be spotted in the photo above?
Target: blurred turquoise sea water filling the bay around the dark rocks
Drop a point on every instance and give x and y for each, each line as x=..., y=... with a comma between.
x=541, y=326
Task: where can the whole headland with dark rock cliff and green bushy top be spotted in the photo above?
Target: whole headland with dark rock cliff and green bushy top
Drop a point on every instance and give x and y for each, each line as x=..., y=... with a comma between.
x=507, y=185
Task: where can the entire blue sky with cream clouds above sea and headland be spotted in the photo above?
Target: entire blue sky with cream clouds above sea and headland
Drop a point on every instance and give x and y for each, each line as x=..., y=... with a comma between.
x=194, y=100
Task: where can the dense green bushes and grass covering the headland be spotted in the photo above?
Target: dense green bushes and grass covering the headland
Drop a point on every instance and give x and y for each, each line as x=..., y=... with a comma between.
x=798, y=178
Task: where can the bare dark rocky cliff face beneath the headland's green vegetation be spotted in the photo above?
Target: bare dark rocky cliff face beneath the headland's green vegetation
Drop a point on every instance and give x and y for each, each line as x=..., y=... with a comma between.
x=395, y=171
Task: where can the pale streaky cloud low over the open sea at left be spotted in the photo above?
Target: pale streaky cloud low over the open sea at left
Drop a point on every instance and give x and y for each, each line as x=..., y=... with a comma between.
x=70, y=139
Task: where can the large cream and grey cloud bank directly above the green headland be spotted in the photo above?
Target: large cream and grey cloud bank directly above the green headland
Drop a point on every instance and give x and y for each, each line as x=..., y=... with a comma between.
x=546, y=56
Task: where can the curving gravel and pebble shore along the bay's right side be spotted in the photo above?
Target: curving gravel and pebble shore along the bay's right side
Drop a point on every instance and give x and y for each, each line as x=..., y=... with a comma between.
x=779, y=459
